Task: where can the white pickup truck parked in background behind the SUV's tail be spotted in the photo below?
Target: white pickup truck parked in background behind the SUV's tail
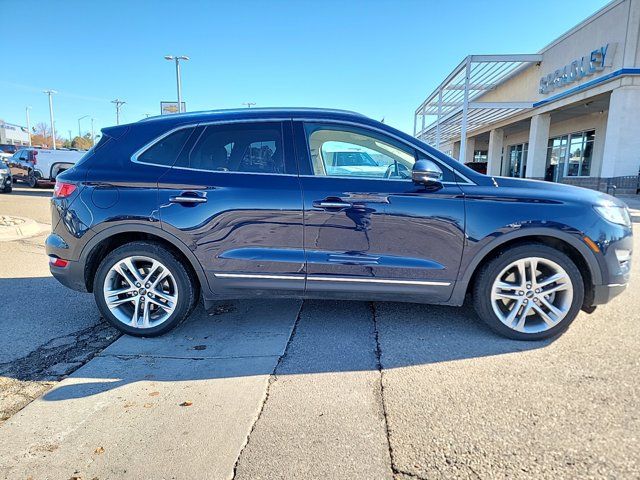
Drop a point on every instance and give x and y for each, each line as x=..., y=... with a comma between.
x=40, y=166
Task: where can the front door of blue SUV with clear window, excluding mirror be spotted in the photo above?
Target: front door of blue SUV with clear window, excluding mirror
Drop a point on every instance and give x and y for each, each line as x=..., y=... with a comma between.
x=369, y=230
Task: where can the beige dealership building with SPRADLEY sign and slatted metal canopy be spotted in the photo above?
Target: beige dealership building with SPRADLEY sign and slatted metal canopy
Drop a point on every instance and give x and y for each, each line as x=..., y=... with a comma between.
x=569, y=113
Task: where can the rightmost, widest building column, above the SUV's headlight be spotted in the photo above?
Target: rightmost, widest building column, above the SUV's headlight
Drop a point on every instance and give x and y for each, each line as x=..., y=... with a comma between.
x=621, y=155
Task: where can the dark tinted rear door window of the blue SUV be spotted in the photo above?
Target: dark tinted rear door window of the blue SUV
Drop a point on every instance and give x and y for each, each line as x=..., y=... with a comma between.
x=242, y=147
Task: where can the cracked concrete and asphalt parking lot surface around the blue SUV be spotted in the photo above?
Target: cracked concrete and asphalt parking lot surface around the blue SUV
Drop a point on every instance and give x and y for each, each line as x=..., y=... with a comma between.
x=314, y=389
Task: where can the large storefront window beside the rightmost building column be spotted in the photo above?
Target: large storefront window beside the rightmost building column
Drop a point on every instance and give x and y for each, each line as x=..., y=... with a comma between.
x=569, y=156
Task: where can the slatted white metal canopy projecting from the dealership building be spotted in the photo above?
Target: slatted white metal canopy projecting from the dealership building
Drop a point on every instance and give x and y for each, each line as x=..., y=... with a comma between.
x=452, y=107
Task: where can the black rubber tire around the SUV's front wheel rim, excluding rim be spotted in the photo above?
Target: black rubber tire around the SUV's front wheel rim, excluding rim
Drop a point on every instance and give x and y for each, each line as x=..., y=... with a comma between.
x=488, y=273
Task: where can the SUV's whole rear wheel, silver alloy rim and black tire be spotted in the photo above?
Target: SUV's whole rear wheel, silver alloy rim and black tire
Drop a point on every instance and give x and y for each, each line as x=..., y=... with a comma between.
x=143, y=289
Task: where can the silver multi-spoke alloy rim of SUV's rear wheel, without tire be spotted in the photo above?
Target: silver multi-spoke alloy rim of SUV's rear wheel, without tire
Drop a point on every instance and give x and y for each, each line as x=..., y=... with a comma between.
x=140, y=292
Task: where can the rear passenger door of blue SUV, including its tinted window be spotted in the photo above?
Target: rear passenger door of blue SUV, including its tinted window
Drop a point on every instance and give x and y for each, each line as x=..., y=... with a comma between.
x=233, y=196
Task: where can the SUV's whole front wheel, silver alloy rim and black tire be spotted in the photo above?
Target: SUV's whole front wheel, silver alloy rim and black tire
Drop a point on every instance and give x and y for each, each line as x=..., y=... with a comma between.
x=529, y=292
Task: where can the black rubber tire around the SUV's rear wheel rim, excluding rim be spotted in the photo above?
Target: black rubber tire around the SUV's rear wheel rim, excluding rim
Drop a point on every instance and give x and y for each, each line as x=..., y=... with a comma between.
x=186, y=285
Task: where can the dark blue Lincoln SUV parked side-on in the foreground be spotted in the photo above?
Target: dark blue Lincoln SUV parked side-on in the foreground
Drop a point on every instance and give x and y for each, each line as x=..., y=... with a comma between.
x=323, y=204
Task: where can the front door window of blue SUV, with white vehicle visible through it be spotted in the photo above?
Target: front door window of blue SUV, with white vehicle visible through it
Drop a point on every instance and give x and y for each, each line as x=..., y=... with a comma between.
x=354, y=153
